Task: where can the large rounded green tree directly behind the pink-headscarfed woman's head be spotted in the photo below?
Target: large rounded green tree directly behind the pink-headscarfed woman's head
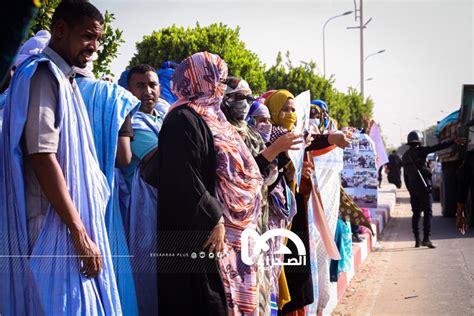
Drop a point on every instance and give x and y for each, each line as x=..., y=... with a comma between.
x=177, y=43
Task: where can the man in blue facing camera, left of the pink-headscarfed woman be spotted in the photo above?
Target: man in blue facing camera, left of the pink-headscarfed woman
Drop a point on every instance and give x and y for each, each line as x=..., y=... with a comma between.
x=141, y=223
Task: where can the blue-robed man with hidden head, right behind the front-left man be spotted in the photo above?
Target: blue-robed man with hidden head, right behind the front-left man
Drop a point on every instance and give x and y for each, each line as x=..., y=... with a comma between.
x=109, y=108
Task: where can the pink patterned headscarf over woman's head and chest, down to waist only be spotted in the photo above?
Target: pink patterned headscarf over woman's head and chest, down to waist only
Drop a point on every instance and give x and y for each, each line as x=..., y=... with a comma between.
x=199, y=81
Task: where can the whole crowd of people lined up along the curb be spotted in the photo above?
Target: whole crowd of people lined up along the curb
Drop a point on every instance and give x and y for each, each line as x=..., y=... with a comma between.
x=109, y=191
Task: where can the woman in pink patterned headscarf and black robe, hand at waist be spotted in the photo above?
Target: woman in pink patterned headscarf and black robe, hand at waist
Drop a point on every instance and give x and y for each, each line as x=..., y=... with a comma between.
x=209, y=192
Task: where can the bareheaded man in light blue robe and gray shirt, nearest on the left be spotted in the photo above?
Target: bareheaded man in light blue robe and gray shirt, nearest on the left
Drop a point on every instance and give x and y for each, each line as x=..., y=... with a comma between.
x=55, y=254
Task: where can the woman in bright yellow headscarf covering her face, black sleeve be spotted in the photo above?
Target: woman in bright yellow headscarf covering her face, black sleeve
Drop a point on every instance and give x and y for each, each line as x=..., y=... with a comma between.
x=295, y=287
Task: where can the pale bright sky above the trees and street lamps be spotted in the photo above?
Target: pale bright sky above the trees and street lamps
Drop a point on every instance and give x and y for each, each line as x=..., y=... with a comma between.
x=415, y=82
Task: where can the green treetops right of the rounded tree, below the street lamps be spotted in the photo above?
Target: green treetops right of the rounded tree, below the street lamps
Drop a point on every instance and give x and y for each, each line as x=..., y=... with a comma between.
x=347, y=109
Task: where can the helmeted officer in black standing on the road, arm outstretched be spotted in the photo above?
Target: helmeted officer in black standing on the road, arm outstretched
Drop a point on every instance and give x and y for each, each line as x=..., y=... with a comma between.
x=417, y=178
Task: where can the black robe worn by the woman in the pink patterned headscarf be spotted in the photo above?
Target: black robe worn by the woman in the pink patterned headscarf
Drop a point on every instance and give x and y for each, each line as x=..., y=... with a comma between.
x=187, y=212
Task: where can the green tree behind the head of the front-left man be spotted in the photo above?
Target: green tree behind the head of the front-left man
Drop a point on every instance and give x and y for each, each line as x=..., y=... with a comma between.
x=108, y=44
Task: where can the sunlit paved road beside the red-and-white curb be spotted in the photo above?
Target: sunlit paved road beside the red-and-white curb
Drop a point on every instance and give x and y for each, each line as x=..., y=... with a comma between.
x=401, y=279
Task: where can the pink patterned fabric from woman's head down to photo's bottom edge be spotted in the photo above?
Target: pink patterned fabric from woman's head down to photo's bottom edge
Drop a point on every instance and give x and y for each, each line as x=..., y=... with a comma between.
x=199, y=82
